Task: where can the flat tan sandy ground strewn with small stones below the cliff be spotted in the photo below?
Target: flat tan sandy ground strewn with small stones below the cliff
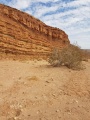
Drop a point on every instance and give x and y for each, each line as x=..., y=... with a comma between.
x=33, y=90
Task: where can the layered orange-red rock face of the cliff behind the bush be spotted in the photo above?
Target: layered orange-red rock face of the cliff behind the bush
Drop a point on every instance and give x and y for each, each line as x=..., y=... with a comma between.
x=22, y=34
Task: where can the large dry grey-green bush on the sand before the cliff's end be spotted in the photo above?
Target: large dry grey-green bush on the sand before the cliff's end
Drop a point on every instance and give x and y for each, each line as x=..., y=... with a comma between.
x=70, y=56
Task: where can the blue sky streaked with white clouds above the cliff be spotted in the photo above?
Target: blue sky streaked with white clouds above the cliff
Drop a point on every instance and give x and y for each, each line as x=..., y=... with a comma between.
x=72, y=16
